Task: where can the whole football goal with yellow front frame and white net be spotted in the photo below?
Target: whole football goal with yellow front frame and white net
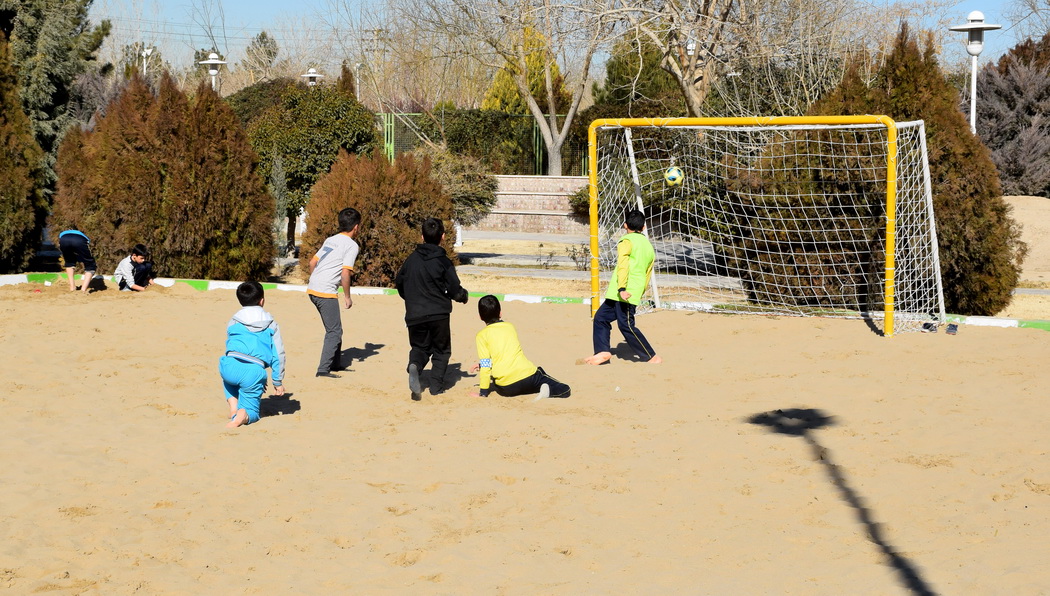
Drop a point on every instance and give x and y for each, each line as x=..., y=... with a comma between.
x=825, y=217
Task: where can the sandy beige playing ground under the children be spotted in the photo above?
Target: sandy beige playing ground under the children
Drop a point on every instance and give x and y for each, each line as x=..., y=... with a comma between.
x=767, y=456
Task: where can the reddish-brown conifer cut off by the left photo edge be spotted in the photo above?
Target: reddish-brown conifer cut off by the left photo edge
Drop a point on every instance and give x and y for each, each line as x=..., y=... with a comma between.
x=23, y=205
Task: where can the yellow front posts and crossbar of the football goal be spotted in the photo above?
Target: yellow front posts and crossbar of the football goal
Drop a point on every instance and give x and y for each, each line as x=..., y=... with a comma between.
x=758, y=121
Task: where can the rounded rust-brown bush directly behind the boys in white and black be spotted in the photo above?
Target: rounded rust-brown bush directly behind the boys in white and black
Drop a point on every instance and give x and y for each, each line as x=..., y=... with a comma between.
x=394, y=201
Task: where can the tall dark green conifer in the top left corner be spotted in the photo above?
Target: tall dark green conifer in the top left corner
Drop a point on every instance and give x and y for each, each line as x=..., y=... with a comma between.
x=53, y=44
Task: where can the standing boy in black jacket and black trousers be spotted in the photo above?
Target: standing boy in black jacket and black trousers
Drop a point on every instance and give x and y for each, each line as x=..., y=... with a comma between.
x=428, y=284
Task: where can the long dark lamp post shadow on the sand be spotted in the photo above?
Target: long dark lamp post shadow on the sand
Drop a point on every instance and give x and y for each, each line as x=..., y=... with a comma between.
x=803, y=422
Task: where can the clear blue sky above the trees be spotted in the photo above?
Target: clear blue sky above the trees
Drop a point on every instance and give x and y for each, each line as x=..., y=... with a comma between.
x=173, y=23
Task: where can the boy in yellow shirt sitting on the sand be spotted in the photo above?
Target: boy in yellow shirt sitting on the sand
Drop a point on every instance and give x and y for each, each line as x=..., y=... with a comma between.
x=502, y=364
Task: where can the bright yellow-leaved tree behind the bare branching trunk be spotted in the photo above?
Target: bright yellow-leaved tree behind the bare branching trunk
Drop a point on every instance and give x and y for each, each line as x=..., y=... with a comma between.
x=503, y=95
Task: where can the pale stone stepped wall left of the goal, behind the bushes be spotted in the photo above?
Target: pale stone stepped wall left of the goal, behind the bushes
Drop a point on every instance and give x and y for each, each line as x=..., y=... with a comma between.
x=535, y=205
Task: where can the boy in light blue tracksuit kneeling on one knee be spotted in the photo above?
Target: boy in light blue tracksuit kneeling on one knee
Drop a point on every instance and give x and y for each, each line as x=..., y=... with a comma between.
x=254, y=345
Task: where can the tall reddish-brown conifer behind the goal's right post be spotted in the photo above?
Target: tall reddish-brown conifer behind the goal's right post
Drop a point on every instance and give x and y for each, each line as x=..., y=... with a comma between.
x=980, y=245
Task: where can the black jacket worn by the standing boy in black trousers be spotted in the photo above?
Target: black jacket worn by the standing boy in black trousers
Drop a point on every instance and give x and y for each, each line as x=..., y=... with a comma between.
x=428, y=284
